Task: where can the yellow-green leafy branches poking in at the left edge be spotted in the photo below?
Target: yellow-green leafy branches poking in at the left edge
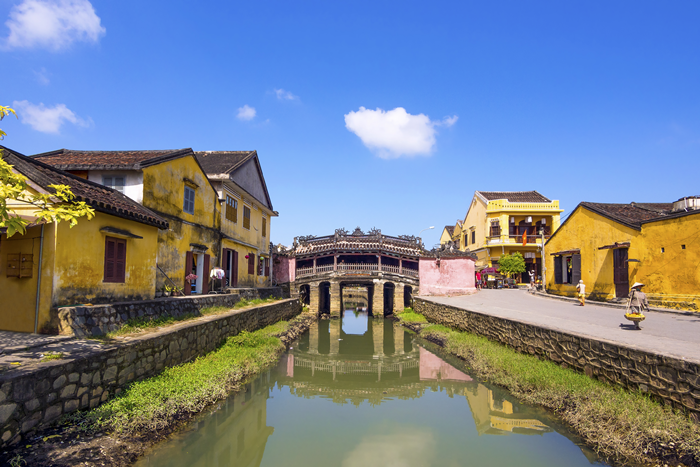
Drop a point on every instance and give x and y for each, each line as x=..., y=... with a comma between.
x=48, y=207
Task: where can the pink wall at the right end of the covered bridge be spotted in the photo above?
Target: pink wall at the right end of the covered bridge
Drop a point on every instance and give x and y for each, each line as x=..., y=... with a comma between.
x=453, y=276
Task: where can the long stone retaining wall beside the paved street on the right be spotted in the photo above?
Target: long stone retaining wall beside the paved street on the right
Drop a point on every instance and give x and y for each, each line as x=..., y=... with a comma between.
x=671, y=380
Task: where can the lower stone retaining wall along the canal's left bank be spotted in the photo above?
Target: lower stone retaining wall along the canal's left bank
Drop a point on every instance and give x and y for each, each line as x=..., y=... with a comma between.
x=33, y=397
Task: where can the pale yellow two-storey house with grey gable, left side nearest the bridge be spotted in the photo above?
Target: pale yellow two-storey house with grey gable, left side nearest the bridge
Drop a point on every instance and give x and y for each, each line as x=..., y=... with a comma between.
x=246, y=215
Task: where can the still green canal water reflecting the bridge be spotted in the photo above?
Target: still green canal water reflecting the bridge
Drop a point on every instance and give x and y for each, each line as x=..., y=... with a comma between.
x=364, y=392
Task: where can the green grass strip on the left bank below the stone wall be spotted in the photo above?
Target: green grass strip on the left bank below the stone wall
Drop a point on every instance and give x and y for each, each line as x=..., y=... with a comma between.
x=159, y=401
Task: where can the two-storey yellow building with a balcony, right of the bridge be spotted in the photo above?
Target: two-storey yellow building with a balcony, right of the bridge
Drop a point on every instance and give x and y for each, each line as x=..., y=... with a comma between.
x=500, y=223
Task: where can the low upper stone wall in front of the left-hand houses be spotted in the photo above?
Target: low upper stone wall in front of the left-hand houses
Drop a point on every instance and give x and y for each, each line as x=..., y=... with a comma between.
x=98, y=320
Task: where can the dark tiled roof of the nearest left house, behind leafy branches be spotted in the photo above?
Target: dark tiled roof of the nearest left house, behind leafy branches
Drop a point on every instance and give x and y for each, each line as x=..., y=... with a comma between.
x=101, y=198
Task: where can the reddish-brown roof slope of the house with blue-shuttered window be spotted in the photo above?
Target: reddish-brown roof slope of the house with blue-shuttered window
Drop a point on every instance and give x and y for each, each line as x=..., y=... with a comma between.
x=69, y=159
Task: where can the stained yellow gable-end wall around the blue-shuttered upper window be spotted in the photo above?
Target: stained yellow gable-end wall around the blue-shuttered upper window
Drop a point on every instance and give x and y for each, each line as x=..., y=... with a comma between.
x=163, y=192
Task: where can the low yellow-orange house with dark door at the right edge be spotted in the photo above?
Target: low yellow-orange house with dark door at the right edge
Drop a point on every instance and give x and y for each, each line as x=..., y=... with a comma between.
x=611, y=246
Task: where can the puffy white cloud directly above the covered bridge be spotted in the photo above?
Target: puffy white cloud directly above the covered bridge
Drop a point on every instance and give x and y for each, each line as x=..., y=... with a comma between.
x=395, y=133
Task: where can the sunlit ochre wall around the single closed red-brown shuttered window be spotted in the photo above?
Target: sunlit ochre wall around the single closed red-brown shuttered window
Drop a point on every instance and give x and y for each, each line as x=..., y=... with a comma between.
x=80, y=260
